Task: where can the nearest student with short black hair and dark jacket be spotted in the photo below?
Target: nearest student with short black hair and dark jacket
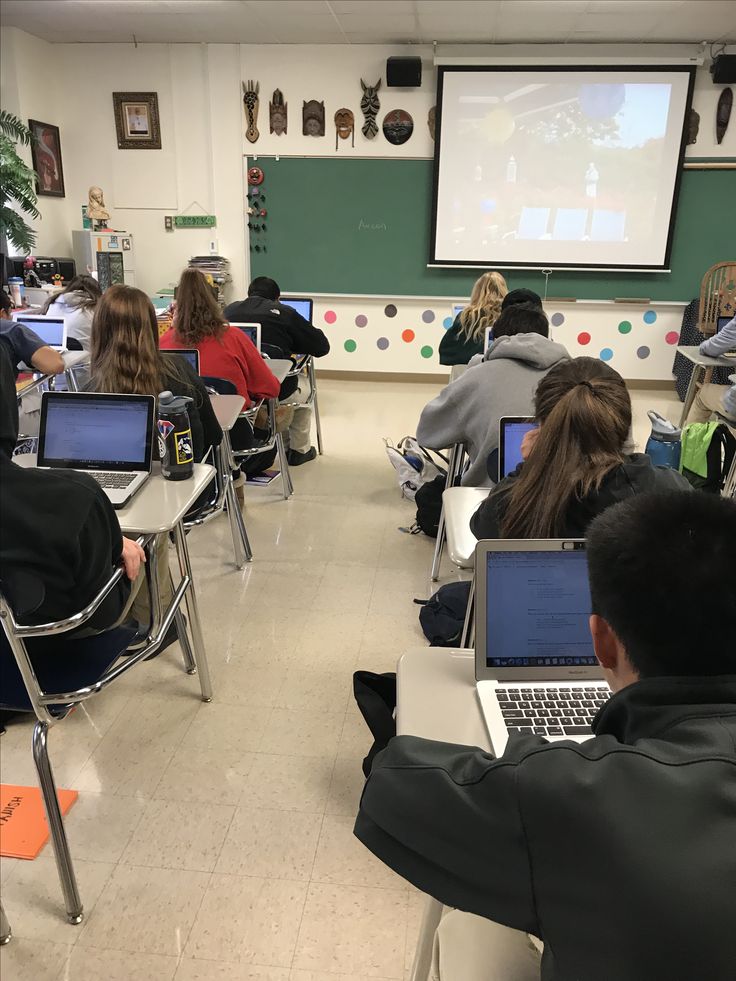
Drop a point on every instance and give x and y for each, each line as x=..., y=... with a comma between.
x=617, y=852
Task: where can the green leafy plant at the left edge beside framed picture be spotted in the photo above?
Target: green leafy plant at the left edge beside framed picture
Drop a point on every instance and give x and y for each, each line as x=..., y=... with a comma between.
x=17, y=184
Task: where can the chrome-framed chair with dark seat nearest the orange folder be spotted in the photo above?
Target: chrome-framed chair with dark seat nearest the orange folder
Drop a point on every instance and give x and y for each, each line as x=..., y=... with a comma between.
x=47, y=672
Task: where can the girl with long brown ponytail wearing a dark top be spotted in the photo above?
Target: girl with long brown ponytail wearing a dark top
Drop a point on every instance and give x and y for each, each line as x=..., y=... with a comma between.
x=575, y=463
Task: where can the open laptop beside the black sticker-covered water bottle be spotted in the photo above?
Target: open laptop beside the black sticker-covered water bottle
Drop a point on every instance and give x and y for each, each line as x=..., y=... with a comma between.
x=110, y=437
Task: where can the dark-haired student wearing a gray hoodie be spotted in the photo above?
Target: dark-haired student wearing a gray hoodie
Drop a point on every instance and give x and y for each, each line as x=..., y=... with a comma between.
x=468, y=410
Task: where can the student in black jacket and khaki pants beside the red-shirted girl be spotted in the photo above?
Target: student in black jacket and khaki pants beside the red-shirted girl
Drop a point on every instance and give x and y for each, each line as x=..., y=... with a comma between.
x=284, y=332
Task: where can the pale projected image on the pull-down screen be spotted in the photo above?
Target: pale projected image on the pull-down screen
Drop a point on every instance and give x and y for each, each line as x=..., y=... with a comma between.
x=573, y=168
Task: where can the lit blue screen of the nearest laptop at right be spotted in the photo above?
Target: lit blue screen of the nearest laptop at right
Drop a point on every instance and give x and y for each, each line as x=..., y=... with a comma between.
x=538, y=605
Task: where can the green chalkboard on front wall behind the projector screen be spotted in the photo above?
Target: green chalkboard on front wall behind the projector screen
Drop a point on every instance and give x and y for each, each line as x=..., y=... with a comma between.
x=356, y=225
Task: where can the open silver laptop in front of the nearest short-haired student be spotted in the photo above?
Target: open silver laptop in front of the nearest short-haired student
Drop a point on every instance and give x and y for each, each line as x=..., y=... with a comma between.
x=535, y=668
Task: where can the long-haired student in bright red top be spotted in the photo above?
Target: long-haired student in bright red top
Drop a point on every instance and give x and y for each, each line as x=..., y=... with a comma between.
x=224, y=352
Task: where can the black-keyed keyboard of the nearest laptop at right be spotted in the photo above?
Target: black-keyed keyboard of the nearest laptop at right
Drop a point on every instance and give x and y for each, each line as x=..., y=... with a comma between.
x=550, y=711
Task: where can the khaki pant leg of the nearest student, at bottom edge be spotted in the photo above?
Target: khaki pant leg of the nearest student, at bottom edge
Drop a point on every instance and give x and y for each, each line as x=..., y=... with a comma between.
x=471, y=948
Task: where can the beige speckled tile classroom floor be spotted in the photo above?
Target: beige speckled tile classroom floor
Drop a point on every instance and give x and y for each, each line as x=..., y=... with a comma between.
x=214, y=842
